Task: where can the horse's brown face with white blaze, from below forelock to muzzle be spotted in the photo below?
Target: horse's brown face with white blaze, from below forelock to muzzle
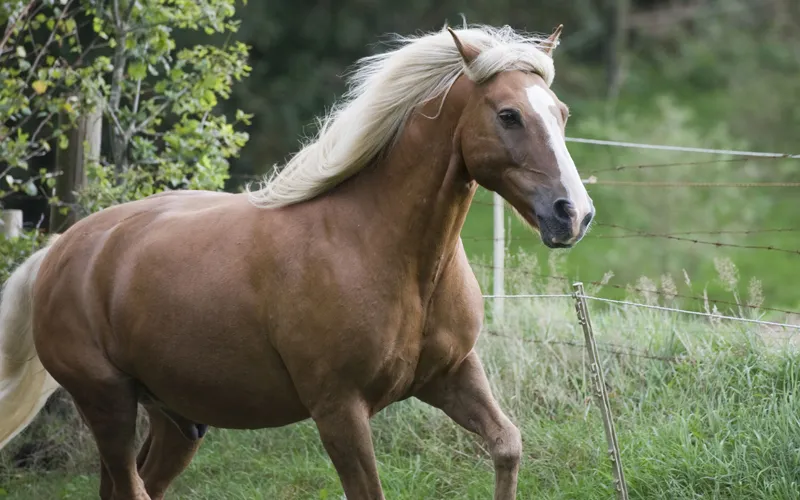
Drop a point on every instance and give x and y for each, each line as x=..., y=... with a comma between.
x=513, y=143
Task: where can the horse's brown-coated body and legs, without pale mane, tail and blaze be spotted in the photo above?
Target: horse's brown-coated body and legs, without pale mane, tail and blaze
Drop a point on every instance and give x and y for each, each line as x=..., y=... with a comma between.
x=209, y=310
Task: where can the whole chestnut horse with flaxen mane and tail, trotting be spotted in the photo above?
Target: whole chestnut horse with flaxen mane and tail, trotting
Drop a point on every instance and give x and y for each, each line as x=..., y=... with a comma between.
x=337, y=288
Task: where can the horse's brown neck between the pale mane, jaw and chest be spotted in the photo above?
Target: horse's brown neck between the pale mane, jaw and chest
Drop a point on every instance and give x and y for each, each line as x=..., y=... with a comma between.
x=417, y=196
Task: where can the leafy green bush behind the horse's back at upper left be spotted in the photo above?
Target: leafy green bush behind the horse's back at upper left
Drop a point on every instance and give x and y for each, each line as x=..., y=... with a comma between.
x=158, y=99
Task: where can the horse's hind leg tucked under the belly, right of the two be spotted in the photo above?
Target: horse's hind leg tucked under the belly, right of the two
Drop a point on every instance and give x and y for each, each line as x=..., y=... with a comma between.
x=170, y=446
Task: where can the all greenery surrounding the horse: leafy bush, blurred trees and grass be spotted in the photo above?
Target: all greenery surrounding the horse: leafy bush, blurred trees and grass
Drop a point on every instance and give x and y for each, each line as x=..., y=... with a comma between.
x=195, y=94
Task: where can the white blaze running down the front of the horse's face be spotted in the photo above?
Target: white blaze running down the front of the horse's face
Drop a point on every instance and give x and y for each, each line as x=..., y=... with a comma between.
x=544, y=106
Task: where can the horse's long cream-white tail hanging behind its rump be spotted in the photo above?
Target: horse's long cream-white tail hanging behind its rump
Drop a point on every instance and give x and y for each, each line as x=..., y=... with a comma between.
x=25, y=385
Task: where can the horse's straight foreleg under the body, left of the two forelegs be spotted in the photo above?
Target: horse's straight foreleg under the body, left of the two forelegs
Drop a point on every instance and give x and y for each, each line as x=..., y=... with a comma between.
x=347, y=438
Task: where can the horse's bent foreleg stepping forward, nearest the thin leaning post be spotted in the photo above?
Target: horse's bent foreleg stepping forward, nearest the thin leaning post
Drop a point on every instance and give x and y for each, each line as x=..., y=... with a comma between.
x=465, y=396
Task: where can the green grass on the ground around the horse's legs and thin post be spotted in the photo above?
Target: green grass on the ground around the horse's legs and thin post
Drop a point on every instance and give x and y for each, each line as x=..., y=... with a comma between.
x=719, y=421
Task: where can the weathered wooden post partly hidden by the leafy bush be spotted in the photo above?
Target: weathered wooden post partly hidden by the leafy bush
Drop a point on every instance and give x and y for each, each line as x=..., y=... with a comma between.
x=84, y=146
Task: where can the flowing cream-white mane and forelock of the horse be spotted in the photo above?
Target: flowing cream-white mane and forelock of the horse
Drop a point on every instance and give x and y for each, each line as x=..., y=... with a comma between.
x=383, y=91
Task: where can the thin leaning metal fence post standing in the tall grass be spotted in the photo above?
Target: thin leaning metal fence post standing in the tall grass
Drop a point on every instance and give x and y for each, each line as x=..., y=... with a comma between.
x=599, y=391
